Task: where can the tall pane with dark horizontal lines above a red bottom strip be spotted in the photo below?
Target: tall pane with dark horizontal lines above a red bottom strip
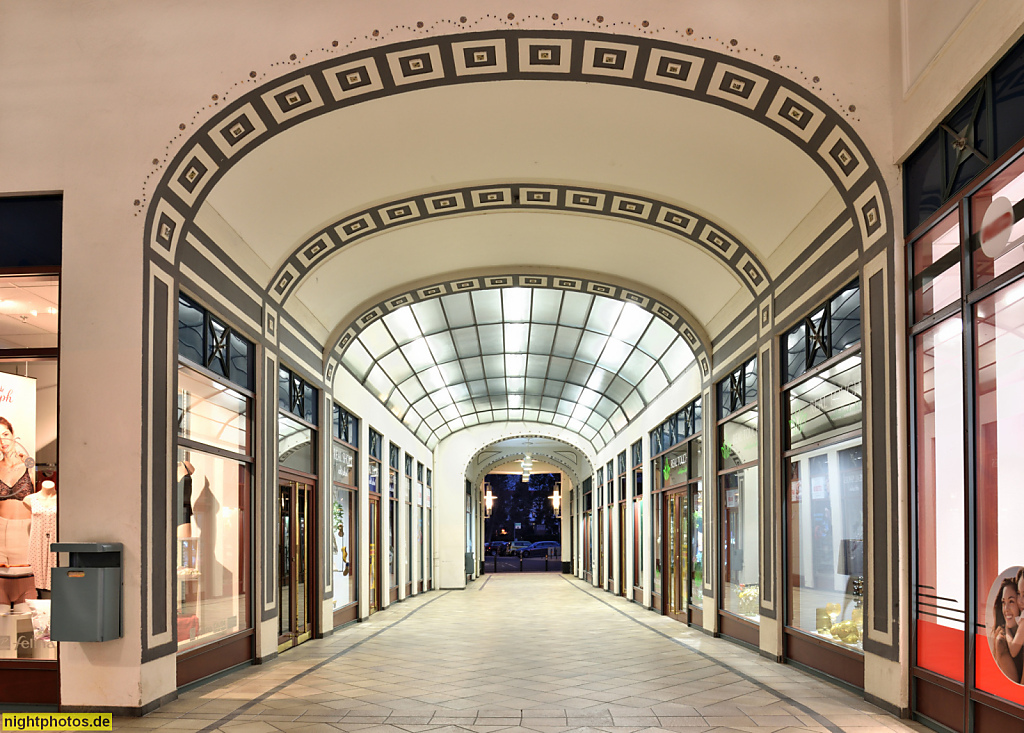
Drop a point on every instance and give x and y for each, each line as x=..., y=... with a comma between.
x=942, y=566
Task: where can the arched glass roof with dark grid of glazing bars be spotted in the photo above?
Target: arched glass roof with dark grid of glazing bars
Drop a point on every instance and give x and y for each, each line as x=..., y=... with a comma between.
x=579, y=361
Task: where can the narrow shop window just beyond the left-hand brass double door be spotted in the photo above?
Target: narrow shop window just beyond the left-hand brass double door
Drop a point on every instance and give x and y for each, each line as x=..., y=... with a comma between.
x=344, y=523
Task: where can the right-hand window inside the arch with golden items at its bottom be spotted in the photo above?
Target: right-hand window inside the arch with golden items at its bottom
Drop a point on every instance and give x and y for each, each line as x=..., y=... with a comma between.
x=826, y=476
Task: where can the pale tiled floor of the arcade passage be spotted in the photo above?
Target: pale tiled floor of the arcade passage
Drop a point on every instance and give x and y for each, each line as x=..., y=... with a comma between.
x=543, y=654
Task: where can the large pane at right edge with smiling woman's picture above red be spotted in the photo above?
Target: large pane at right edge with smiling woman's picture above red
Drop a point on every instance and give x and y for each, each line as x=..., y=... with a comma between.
x=999, y=437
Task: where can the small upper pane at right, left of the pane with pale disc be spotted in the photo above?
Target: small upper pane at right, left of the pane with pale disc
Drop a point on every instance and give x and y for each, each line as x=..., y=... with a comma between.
x=936, y=281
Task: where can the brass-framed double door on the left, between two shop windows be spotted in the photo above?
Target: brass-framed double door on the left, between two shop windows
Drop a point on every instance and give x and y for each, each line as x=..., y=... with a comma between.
x=296, y=586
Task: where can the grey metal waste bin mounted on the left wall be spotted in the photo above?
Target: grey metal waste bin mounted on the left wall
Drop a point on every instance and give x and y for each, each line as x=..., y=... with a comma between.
x=87, y=595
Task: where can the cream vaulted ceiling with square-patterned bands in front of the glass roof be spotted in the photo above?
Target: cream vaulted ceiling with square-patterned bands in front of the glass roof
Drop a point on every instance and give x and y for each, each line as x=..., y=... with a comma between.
x=745, y=151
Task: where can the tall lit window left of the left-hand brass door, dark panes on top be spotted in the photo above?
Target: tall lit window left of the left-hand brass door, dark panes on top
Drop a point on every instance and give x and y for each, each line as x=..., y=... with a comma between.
x=214, y=480
